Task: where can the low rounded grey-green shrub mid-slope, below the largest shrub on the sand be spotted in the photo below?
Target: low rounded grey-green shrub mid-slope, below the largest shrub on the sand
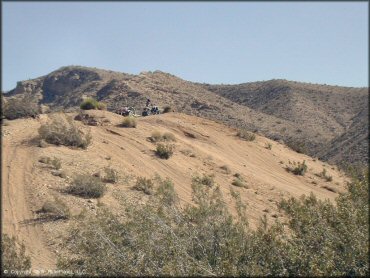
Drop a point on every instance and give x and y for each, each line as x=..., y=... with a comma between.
x=86, y=186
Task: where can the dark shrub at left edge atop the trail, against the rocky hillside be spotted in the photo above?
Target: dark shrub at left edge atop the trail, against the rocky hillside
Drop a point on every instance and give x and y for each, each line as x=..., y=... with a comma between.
x=21, y=108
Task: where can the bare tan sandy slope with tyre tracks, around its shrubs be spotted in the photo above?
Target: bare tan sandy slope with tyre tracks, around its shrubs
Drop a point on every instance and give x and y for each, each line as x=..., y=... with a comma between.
x=201, y=147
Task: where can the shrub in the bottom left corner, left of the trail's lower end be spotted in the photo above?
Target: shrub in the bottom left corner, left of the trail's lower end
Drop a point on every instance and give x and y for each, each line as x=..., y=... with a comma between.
x=13, y=256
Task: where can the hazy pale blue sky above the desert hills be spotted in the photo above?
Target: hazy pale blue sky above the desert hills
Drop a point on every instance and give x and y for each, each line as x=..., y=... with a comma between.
x=211, y=42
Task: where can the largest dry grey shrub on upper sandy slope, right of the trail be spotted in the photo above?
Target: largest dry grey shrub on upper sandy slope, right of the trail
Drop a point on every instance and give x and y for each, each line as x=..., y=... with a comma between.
x=63, y=131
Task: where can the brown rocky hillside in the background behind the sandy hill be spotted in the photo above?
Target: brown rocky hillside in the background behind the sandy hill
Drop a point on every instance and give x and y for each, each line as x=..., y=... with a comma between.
x=330, y=122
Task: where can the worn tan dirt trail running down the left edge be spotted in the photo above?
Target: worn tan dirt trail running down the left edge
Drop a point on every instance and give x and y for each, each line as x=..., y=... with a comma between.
x=17, y=166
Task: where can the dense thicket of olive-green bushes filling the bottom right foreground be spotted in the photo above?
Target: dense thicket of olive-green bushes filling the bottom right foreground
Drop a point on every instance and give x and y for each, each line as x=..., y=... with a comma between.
x=162, y=238
